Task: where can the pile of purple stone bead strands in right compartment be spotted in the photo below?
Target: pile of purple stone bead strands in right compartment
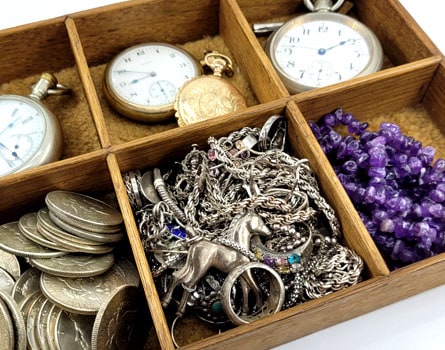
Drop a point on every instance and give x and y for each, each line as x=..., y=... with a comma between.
x=393, y=183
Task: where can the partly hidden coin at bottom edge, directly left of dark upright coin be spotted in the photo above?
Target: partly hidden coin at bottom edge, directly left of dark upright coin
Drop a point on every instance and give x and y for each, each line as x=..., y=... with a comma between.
x=73, y=331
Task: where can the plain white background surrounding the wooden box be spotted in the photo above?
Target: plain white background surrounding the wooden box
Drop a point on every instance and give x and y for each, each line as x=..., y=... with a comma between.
x=416, y=323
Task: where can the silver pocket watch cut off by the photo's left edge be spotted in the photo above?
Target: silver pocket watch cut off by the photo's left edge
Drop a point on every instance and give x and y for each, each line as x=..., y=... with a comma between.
x=30, y=134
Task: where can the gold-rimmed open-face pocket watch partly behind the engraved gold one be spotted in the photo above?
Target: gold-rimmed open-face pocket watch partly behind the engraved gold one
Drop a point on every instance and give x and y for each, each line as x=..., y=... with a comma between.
x=142, y=81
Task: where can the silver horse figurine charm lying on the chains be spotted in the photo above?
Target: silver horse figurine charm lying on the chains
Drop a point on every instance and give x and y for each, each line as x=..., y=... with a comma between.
x=205, y=254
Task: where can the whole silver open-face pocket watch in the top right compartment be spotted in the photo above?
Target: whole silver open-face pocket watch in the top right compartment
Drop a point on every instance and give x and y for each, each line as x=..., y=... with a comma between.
x=322, y=48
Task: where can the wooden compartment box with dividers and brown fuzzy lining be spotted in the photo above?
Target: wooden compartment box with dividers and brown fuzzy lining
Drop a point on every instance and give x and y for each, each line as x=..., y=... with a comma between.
x=100, y=145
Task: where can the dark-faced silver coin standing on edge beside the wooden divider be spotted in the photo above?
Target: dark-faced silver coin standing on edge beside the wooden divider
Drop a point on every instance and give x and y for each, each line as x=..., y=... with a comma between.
x=121, y=323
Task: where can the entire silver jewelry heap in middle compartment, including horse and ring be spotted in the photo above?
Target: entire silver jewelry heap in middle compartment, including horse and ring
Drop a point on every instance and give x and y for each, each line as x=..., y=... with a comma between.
x=241, y=227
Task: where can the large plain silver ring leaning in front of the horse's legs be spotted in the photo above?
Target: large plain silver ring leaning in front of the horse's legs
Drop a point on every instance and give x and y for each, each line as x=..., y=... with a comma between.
x=273, y=304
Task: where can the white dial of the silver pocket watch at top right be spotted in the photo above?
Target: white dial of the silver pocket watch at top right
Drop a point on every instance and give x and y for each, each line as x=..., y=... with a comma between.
x=321, y=53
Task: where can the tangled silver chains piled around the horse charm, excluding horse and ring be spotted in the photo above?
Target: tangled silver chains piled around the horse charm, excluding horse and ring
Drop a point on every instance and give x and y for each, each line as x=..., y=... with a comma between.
x=204, y=192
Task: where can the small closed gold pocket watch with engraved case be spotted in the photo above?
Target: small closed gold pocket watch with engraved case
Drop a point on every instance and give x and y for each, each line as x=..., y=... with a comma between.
x=209, y=96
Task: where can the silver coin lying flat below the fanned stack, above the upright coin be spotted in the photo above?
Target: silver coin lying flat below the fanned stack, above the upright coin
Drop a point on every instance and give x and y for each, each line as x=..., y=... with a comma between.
x=83, y=295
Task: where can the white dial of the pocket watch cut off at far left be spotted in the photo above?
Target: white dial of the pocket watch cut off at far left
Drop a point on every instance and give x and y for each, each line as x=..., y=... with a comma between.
x=22, y=131
